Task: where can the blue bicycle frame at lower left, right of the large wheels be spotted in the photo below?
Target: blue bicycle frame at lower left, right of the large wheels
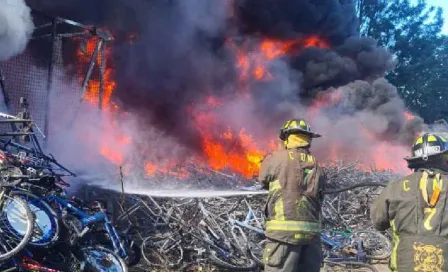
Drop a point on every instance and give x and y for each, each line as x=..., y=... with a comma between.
x=87, y=220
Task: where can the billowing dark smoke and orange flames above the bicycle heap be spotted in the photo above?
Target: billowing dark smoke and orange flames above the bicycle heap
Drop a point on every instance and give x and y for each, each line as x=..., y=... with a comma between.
x=210, y=82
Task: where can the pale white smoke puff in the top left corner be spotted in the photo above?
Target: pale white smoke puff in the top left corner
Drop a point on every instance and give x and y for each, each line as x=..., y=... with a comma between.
x=16, y=27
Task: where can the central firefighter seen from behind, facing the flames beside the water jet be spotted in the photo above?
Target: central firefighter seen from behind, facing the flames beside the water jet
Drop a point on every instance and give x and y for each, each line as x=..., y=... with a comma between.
x=295, y=183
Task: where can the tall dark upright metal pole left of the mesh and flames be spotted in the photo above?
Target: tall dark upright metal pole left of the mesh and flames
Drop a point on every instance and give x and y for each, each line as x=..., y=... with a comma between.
x=50, y=79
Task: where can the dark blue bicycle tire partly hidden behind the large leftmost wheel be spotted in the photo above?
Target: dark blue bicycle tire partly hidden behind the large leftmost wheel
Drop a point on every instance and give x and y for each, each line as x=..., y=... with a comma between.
x=37, y=202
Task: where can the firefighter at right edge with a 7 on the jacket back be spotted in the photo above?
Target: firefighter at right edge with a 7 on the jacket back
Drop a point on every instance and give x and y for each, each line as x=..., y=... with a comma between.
x=415, y=208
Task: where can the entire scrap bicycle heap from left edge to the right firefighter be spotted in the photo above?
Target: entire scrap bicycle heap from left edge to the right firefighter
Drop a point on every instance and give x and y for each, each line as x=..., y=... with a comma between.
x=160, y=234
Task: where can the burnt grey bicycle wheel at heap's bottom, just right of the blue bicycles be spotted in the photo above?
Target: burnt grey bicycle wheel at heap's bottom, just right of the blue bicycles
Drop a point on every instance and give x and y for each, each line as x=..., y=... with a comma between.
x=162, y=251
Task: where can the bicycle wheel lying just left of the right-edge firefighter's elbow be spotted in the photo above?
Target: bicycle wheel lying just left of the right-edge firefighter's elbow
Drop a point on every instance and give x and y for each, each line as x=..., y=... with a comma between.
x=376, y=245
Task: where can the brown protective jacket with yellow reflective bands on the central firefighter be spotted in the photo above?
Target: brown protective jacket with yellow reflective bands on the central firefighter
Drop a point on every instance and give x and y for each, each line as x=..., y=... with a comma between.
x=295, y=183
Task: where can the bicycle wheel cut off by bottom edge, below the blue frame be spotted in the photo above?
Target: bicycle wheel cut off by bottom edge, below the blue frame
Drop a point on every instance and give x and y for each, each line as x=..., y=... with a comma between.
x=100, y=259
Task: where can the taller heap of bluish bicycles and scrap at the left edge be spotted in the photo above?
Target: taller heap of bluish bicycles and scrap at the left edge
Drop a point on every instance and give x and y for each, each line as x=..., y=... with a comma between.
x=41, y=229
